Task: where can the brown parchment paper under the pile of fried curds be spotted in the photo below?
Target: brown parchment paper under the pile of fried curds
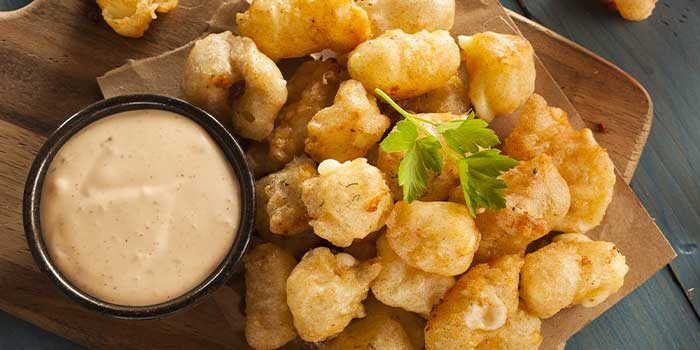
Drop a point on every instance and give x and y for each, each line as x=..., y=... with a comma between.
x=626, y=222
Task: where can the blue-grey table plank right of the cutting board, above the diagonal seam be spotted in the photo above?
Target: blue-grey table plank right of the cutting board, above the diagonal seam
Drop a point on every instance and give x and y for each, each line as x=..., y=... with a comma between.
x=664, y=54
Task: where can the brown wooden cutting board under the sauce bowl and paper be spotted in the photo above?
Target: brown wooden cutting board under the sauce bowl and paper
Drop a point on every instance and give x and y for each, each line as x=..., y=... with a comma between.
x=50, y=54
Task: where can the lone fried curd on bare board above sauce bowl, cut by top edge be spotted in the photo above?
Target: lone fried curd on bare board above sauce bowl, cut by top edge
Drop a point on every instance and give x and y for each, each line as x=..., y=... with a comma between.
x=131, y=18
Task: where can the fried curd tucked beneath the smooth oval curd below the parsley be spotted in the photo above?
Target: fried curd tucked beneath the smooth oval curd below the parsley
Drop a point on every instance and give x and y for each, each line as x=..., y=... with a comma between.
x=400, y=285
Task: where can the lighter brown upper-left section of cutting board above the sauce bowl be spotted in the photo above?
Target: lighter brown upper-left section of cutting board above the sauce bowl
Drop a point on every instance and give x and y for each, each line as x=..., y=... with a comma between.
x=70, y=45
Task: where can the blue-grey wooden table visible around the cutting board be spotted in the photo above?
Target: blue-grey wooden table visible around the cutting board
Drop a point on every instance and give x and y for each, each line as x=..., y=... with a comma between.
x=663, y=53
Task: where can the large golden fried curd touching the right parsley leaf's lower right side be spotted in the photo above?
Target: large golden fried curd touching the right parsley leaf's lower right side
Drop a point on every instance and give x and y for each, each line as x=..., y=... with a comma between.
x=537, y=199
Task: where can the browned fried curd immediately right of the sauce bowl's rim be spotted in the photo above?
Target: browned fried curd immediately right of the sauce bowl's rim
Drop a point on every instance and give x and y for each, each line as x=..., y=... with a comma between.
x=278, y=198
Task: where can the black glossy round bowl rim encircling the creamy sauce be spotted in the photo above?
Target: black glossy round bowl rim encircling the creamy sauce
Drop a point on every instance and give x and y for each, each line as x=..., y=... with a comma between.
x=35, y=182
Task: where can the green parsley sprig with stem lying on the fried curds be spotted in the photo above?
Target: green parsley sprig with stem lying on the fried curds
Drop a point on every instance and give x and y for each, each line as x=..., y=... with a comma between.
x=469, y=143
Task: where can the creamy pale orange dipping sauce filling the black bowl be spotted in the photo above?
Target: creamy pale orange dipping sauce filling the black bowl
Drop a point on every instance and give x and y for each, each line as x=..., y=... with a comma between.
x=139, y=207
